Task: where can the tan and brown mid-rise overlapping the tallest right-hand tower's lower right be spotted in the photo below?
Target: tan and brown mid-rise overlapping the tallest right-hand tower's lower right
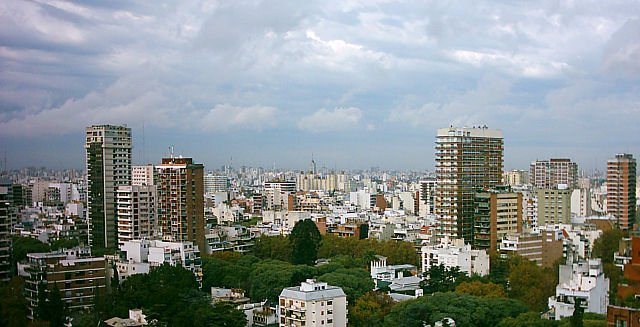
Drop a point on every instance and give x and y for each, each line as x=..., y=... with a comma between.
x=498, y=213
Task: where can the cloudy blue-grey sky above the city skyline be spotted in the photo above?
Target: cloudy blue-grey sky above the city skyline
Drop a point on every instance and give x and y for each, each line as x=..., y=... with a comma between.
x=354, y=84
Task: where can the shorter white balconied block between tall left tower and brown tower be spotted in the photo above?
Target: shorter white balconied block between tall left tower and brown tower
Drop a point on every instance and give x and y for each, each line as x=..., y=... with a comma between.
x=136, y=212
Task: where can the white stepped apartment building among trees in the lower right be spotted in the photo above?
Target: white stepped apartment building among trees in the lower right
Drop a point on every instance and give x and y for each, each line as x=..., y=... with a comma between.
x=584, y=280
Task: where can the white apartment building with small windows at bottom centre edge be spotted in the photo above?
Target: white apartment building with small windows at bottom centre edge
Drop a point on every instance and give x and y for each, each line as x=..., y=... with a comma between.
x=313, y=304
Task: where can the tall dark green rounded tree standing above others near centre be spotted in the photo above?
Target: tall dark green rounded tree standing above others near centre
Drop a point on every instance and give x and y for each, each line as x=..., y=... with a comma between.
x=305, y=241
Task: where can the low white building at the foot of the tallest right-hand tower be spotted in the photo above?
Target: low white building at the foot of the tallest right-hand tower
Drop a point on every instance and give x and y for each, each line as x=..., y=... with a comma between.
x=454, y=253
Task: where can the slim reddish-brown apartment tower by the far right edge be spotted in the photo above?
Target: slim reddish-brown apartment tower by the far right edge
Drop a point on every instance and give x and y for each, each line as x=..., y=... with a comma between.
x=621, y=189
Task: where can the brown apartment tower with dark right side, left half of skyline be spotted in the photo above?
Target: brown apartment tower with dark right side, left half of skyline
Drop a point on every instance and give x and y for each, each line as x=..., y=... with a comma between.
x=180, y=200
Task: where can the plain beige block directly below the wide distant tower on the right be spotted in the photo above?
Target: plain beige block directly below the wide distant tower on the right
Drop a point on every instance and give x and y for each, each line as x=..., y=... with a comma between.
x=554, y=206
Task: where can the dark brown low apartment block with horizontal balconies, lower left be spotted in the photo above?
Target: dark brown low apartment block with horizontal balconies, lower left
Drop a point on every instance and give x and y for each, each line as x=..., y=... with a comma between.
x=78, y=277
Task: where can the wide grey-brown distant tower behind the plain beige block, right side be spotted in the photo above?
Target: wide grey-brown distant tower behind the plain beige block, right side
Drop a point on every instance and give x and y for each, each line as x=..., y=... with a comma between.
x=548, y=174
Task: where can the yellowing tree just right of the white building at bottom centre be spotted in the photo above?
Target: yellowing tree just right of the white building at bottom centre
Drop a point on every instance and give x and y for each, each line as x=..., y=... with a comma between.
x=370, y=309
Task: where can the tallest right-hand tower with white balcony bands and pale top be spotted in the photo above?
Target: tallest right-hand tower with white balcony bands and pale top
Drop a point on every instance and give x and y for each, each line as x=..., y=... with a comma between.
x=467, y=160
